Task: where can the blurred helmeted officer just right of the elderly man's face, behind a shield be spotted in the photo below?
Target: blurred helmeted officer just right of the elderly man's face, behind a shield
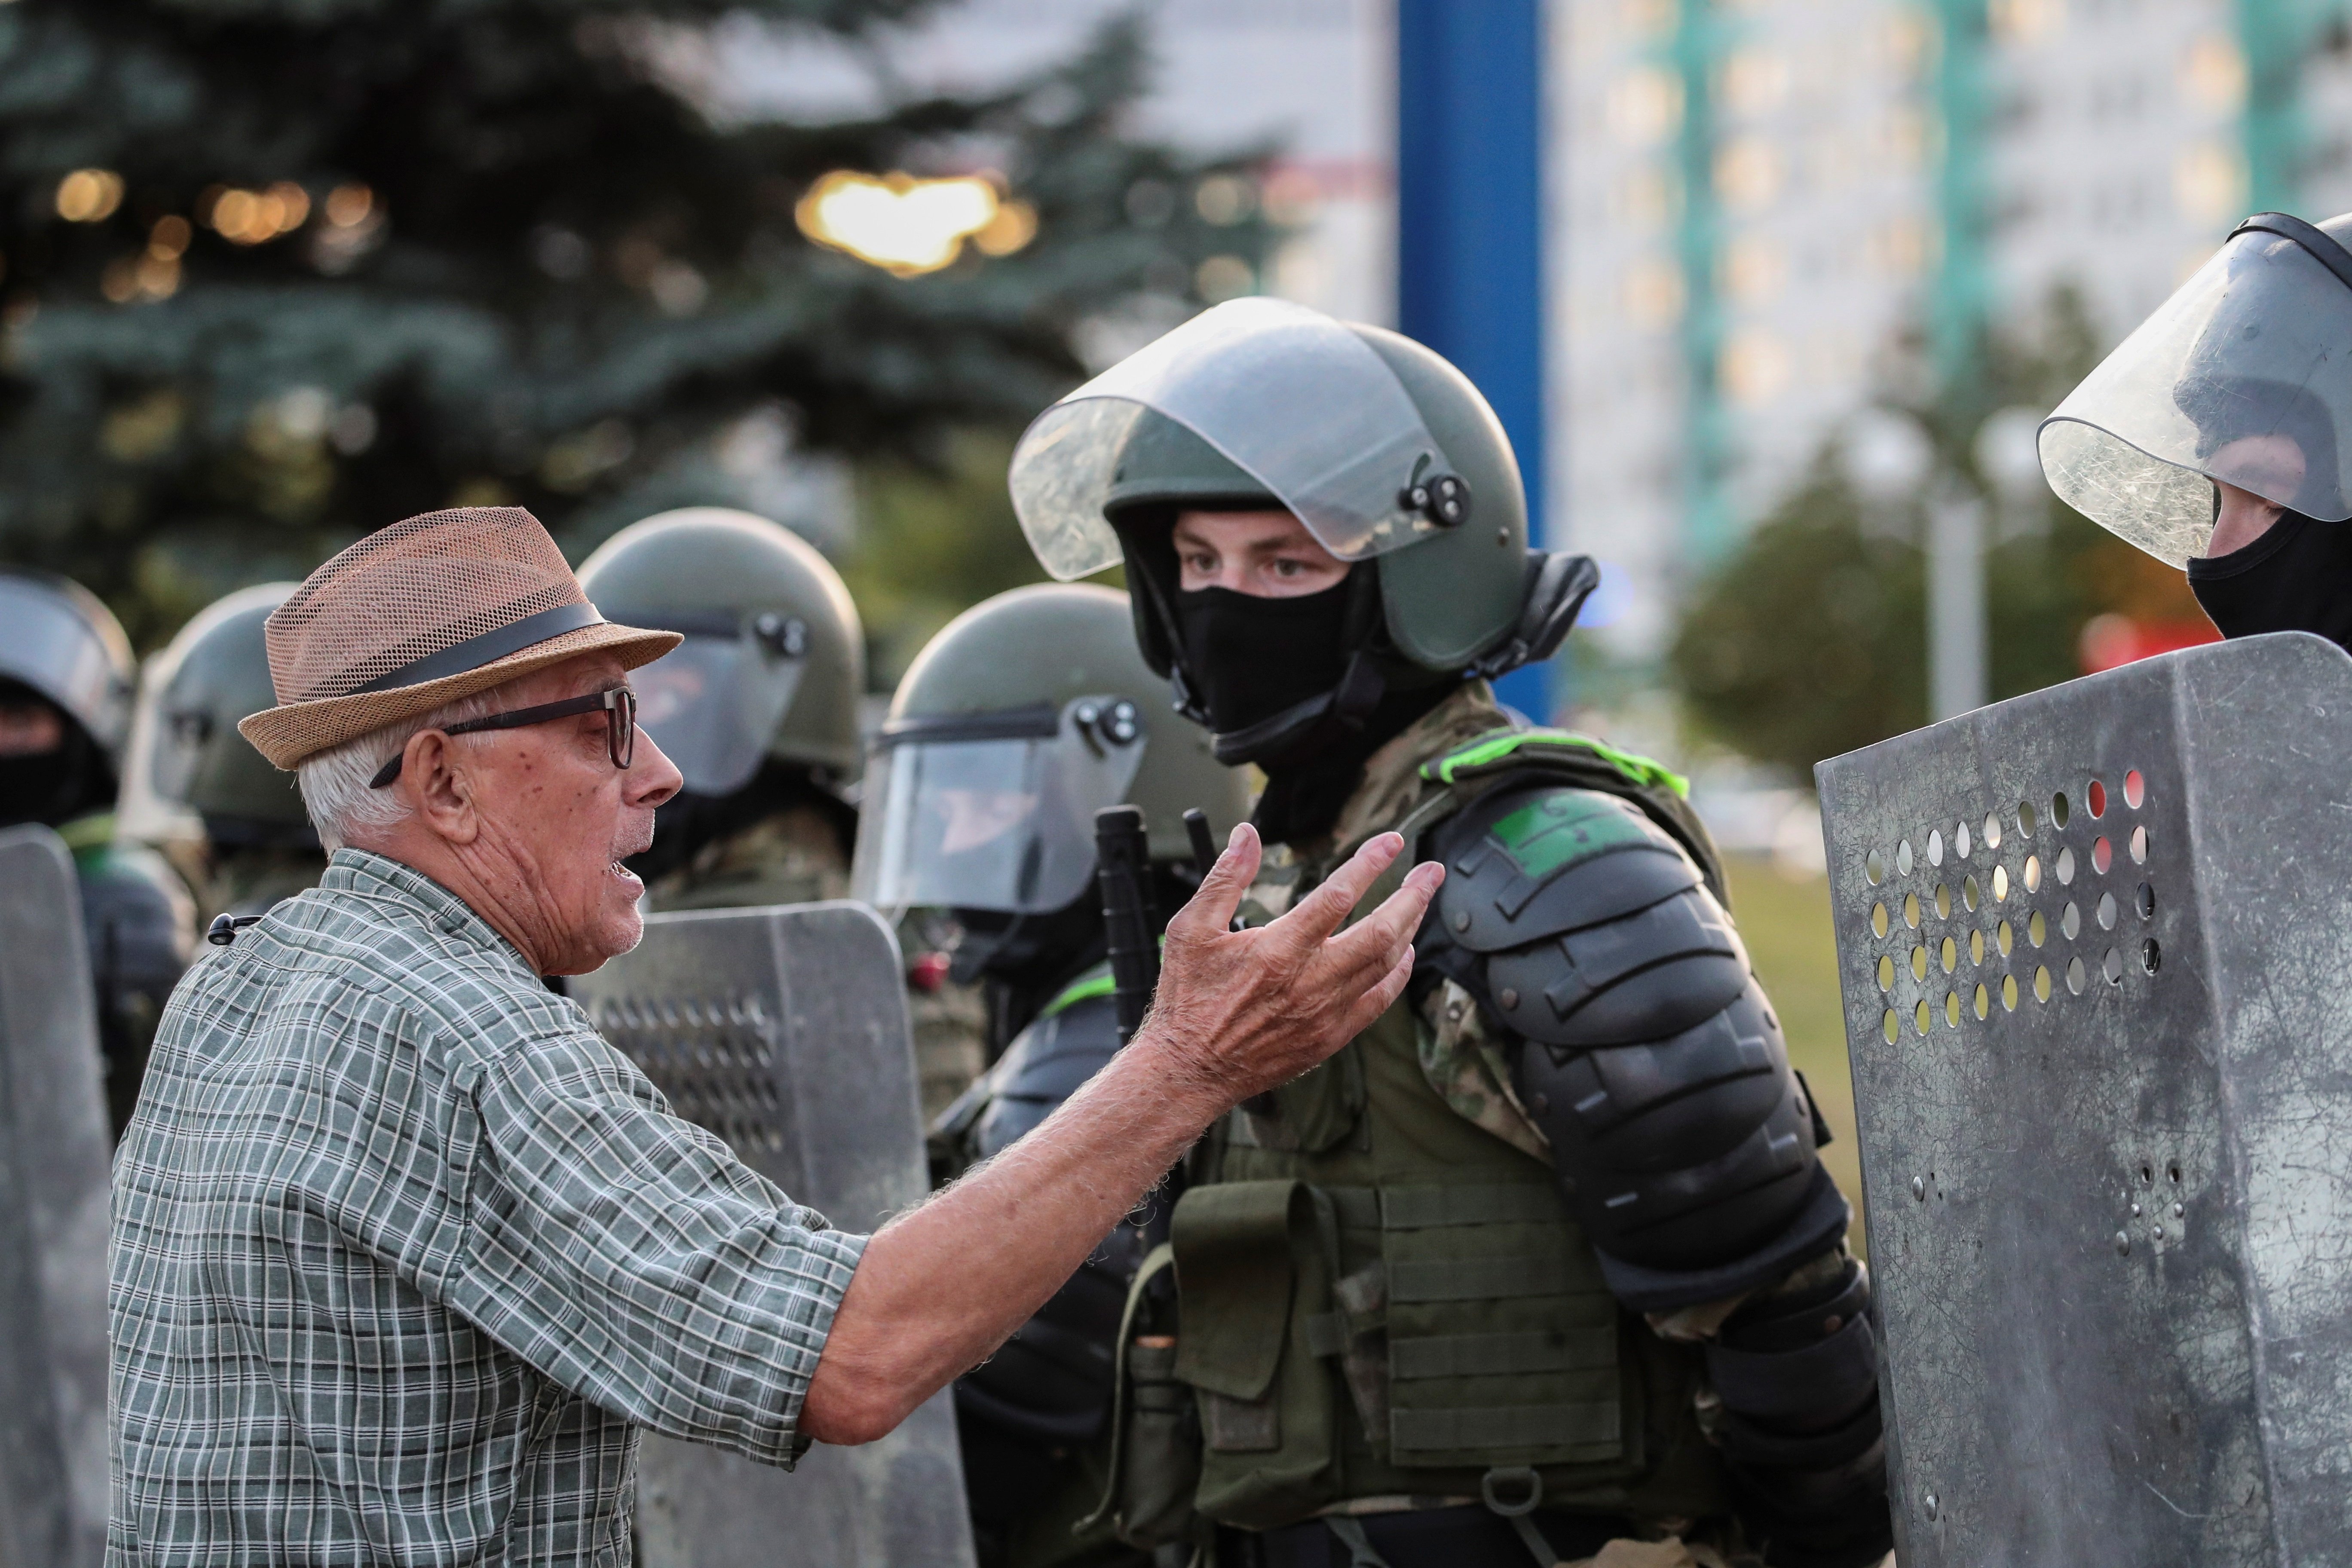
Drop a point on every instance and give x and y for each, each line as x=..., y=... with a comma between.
x=761, y=713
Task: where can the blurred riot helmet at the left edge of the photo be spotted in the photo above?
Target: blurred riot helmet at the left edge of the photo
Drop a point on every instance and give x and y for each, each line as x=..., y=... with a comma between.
x=65, y=697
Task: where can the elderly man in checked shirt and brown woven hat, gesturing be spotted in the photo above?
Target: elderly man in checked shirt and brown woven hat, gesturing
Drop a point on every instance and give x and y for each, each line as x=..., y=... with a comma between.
x=406, y=1254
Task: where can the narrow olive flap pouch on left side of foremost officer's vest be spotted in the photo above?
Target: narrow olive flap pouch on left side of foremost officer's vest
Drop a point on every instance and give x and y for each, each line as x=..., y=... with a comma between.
x=1255, y=1280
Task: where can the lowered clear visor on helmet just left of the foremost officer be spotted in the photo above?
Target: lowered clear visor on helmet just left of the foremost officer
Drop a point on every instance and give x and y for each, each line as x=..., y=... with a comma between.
x=994, y=812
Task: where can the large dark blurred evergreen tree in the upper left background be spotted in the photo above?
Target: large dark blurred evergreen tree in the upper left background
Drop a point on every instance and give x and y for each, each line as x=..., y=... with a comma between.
x=281, y=272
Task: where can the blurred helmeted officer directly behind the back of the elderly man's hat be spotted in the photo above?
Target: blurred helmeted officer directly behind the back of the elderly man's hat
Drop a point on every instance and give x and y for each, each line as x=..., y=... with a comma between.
x=199, y=791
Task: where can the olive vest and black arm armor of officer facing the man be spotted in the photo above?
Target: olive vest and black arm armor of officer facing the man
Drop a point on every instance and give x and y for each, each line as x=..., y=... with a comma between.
x=1396, y=1273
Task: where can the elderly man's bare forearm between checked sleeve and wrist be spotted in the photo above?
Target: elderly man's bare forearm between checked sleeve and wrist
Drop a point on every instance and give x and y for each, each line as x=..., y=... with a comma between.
x=949, y=1282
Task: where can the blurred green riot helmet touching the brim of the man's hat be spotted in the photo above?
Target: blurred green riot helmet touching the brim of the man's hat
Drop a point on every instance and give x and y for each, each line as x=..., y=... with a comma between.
x=773, y=659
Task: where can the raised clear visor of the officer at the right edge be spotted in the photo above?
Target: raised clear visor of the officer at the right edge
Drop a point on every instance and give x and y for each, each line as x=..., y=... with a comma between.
x=2245, y=375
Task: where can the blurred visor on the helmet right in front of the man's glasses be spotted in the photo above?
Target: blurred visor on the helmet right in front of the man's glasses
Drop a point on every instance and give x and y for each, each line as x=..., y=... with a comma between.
x=714, y=704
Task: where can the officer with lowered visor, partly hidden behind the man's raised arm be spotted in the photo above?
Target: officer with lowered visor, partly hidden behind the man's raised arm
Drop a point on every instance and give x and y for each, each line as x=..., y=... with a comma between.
x=1013, y=728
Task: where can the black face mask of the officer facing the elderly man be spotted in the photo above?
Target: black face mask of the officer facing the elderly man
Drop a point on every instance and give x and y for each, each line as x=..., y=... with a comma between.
x=1252, y=659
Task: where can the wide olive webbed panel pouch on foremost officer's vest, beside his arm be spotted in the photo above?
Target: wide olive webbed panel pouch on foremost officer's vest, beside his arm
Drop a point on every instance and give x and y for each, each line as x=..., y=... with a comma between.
x=1502, y=1332
